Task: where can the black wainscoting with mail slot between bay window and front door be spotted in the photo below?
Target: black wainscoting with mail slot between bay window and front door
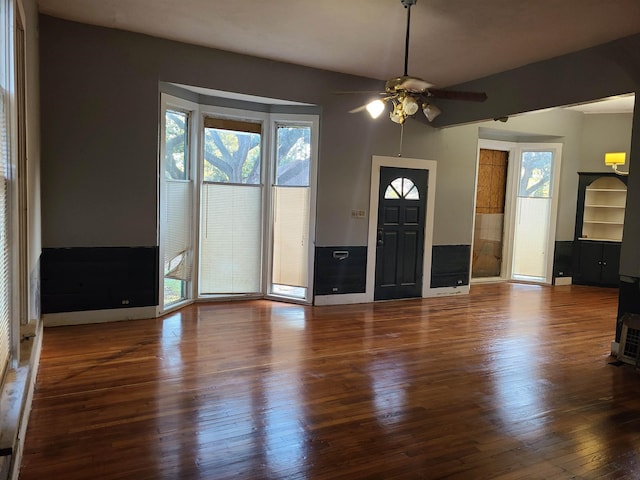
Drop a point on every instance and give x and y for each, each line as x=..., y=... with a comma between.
x=340, y=270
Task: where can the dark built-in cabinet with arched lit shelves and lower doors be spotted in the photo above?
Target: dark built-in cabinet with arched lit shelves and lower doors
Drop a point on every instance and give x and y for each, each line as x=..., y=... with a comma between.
x=599, y=223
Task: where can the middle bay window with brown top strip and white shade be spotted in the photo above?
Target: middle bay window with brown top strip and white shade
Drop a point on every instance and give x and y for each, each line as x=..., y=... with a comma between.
x=231, y=212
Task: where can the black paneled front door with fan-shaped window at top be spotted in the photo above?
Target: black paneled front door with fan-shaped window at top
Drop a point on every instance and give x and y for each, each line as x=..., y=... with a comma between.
x=400, y=238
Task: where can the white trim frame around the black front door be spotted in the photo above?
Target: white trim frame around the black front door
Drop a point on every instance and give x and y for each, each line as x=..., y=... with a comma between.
x=400, y=162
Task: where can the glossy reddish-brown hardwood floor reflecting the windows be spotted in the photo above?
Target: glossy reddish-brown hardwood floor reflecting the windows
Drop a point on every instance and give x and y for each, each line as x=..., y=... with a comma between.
x=509, y=382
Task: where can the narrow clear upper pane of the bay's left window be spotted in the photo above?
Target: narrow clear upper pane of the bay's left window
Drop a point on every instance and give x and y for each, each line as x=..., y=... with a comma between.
x=176, y=148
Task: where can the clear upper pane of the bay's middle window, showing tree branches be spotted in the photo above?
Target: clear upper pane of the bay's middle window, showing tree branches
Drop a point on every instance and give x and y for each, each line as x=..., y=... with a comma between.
x=231, y=156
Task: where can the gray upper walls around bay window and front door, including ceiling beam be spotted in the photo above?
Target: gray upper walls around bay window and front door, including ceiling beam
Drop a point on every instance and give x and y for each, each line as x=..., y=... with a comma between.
x=100, y=108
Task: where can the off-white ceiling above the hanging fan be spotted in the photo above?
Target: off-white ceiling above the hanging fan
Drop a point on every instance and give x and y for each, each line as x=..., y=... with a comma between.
x=452, y=41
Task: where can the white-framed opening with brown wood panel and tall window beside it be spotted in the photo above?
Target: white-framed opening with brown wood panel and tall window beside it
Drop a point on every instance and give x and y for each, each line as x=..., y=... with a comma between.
x=515, y=215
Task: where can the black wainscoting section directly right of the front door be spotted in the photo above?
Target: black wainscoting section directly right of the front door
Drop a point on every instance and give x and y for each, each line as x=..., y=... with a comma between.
x=450, y=265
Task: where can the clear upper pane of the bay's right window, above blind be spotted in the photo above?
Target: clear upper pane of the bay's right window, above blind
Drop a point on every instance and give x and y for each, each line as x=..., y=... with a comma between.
x=293, y=155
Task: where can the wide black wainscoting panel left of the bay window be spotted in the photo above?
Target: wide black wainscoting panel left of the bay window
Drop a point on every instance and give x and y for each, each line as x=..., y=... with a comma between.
x=97, y=278
